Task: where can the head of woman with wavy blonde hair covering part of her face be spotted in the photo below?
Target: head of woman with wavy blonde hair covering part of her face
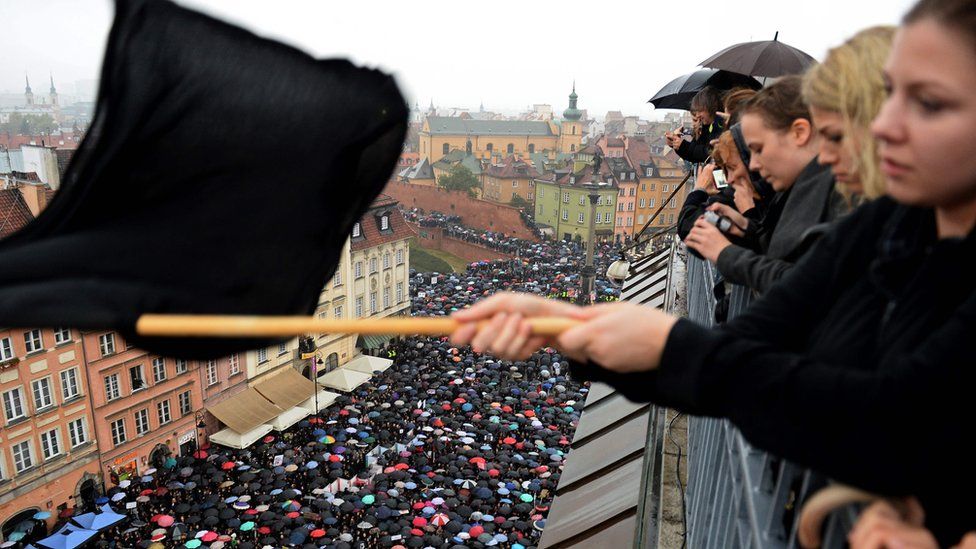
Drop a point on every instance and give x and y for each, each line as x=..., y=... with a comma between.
x=845, y=93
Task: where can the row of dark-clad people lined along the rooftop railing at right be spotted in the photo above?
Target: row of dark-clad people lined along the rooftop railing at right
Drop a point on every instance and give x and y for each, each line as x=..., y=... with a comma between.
x=850, y=211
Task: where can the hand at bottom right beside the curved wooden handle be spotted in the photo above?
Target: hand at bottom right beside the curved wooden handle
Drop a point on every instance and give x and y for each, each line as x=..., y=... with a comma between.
x=882, y=526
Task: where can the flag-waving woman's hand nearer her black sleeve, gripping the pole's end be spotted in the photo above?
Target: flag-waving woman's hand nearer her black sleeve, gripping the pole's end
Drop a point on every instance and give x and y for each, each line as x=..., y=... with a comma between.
x=620, y=336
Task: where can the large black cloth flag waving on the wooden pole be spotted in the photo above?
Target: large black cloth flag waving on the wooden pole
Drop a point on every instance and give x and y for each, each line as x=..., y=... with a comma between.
x=221, y=174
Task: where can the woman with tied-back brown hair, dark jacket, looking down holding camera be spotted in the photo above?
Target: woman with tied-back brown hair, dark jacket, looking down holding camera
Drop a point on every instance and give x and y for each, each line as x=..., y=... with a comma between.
x=778, y=129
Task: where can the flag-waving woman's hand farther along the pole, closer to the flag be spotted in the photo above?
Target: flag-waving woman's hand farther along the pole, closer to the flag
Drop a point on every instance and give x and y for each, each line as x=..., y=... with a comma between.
x=507, y=335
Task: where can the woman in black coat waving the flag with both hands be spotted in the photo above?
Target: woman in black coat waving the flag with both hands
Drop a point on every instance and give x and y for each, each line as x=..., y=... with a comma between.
x=857, y=363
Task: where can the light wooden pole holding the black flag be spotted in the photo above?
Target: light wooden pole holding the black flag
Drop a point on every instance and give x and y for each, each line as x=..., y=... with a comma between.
x=274, y=326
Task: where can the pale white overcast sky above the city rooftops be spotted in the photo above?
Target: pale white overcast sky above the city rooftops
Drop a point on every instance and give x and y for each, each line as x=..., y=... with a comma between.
x=508, y=54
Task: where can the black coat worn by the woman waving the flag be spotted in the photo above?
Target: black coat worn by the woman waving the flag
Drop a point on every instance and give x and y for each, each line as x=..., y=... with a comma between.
x=855, y=364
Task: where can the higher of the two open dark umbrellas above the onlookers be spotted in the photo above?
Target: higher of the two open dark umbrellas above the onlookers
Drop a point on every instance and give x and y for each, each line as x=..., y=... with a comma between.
x=769, y=58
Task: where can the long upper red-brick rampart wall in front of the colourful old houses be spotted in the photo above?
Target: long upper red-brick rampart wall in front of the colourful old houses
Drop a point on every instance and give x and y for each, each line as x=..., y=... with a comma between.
x=478, y=214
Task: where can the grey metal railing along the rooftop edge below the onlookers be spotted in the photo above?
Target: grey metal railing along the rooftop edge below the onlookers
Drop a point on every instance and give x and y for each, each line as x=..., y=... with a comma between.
x=737, y=495
